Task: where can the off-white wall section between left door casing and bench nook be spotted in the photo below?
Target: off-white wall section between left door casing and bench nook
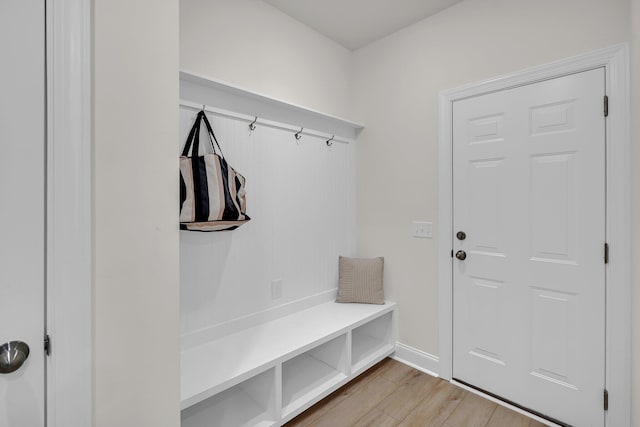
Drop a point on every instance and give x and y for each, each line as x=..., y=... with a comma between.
x=135, y=200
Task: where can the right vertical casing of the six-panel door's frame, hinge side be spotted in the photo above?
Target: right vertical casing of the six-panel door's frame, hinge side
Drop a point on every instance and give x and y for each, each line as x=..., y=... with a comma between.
x=618, y=273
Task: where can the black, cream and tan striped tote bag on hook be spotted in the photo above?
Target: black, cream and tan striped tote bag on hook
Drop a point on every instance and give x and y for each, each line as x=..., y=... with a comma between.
x=212, y=193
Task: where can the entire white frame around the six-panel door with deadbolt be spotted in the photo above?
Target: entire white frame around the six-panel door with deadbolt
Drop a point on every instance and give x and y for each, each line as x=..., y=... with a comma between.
x=618, y=225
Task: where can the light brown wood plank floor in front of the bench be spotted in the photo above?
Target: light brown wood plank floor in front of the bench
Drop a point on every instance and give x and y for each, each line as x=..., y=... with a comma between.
x=392, y=394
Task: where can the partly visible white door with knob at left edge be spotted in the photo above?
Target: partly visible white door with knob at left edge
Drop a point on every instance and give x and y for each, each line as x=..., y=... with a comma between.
x=22, y=211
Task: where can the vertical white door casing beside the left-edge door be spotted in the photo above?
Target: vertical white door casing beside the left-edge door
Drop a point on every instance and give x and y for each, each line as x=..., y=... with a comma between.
x=69, y=262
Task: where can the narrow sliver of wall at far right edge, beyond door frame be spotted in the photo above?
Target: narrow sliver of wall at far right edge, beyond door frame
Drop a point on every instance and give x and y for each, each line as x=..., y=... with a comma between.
x=635, y=191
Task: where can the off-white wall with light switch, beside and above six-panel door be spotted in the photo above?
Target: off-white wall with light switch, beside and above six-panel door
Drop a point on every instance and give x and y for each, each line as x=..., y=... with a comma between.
x=396, y=85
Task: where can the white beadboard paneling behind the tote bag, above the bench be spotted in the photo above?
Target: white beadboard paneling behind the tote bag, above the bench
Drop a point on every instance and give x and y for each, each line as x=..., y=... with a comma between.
x=301, y=200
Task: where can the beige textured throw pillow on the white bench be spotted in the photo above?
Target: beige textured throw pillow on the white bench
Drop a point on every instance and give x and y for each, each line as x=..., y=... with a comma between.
x=360, y=280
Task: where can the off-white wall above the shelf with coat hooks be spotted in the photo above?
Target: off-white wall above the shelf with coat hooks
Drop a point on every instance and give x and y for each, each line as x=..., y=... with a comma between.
x=253, y=45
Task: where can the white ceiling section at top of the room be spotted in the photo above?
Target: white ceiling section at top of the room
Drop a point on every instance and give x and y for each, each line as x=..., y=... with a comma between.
x=356, y=23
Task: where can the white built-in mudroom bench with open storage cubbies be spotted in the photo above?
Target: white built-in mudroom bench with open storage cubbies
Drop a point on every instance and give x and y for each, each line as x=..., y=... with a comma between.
x=268, y=374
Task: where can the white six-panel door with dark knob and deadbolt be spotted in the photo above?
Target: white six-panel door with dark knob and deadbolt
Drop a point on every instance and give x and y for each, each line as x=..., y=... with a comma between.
x=529, y=196
